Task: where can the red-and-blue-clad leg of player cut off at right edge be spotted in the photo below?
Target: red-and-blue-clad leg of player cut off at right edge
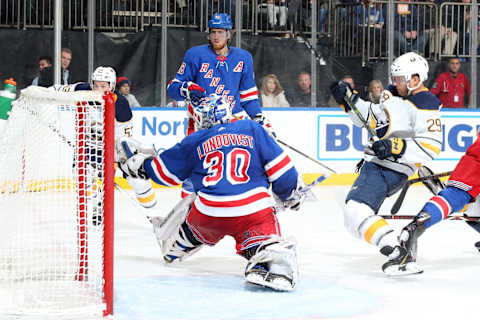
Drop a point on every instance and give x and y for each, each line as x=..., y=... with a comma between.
x=462, y=188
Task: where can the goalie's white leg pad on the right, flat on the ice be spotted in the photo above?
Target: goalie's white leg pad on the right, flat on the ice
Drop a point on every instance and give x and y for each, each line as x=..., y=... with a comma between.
x=274, y=265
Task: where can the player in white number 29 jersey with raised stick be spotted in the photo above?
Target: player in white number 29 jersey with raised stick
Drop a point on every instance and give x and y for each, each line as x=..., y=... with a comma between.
x=408, y=132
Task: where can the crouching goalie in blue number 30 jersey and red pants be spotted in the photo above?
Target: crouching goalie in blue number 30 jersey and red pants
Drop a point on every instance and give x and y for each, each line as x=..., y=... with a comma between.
x=232, y=166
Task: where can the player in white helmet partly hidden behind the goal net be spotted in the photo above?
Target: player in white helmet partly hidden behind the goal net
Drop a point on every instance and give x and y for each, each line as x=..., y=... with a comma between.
x=103, y=80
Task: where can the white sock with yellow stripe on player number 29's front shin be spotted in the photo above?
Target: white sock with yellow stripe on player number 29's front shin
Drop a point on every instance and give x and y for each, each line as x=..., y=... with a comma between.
x=361, y=222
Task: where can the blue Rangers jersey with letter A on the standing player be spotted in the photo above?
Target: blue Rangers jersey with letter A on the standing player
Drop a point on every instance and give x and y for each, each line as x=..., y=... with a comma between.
x=231, y=76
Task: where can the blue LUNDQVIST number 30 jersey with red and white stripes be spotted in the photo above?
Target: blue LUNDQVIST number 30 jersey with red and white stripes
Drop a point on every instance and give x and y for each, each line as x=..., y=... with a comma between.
x=231, y=167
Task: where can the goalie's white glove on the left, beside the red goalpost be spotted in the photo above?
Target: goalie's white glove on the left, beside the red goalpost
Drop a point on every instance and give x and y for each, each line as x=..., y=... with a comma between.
x=132, y=155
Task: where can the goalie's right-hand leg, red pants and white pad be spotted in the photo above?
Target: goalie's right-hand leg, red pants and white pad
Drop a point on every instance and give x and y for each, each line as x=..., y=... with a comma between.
x=272, y=260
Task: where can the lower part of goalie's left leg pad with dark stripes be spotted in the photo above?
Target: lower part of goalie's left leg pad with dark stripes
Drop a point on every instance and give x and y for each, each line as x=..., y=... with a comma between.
x=180, y=244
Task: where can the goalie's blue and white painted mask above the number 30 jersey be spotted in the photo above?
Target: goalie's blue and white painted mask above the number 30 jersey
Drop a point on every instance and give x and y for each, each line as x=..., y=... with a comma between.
x=212, y=110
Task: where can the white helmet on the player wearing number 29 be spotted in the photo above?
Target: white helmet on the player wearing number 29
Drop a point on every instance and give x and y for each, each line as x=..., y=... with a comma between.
x=408, y=65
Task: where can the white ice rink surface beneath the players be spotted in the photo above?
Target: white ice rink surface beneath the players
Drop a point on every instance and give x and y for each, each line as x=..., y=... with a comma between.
x=340, y=276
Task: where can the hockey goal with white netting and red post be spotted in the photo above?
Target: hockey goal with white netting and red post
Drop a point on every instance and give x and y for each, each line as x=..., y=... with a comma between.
x=56, y=203
